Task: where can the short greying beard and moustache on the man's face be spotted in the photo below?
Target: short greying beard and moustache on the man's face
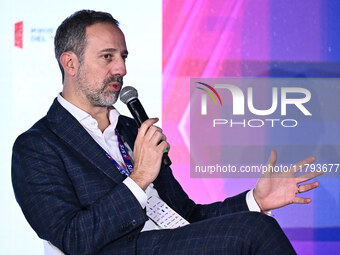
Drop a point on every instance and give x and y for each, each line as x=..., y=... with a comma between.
x=102, y=97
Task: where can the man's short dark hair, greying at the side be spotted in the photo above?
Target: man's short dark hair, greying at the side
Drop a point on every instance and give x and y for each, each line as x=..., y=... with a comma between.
x=71, y=34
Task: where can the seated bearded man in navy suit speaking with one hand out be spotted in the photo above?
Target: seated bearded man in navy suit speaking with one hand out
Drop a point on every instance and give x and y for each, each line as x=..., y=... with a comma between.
x=78, y=192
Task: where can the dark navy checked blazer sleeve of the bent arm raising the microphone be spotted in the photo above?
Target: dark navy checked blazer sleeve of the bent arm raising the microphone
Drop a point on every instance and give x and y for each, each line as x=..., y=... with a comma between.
x=49, y=202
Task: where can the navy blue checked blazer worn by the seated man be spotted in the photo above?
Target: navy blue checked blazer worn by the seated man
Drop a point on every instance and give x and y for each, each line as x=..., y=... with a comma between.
x=73, y=196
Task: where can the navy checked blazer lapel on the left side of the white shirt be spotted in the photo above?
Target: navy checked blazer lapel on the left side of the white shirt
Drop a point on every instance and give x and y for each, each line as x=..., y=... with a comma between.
x=70, y=130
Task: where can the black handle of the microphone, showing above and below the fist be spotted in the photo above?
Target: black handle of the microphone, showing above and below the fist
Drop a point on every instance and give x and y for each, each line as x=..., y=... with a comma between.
x=140, y=116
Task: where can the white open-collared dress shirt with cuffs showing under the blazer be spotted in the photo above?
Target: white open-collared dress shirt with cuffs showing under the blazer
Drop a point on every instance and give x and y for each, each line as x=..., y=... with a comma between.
x=109, y=142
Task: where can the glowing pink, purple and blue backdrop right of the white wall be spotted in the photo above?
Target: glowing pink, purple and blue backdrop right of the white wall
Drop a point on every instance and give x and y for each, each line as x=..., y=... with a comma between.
x=244, y=38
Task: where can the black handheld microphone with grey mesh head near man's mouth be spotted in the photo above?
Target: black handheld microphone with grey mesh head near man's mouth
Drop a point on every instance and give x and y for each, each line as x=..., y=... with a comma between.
x=129, y=96
